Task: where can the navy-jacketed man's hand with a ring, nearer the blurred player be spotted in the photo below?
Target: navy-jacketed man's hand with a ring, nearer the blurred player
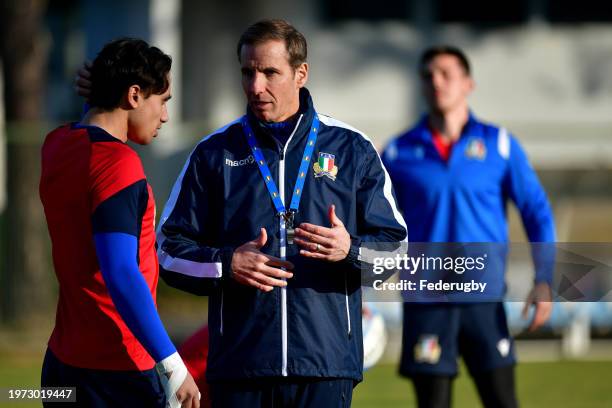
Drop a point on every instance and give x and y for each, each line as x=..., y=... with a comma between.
x=329, y=244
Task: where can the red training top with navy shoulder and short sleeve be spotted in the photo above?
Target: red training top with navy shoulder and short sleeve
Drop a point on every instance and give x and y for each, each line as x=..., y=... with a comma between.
x=94, y=183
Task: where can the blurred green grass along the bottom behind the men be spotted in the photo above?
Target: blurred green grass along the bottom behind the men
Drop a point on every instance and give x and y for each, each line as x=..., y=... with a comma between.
x=570, y=384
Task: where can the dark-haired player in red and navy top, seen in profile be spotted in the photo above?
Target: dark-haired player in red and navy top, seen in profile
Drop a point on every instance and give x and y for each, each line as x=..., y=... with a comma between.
x=100, y=213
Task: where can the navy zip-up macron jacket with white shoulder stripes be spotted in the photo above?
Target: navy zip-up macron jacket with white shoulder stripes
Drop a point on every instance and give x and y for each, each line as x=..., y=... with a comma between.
x=219, y=202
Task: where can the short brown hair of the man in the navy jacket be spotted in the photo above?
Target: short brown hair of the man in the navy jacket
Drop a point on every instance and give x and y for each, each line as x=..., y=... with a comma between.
x=276, y=29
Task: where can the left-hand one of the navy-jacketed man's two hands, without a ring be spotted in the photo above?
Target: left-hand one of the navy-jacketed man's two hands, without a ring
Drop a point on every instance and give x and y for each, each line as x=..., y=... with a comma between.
x=252, y=267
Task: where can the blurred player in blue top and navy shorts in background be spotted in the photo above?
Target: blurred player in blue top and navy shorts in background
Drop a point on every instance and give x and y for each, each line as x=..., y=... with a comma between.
x=454, y=176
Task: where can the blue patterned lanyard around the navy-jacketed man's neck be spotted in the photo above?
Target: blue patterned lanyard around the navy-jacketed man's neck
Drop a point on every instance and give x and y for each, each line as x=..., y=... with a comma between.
x=267, y=176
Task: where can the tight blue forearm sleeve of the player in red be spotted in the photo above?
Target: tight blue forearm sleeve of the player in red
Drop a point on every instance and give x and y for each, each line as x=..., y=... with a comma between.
x=117, y=254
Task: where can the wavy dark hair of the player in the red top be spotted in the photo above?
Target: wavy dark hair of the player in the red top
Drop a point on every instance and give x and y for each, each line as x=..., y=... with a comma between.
x=125, y=62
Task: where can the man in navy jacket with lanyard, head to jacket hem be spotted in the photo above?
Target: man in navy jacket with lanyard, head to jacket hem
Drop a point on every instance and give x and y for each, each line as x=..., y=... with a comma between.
x=258, y=326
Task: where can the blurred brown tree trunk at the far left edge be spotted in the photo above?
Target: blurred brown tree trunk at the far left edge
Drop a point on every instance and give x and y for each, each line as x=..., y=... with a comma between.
x=26, y=291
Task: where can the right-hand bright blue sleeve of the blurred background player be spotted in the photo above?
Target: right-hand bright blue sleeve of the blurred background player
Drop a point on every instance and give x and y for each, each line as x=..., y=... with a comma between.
x=525, y=190
